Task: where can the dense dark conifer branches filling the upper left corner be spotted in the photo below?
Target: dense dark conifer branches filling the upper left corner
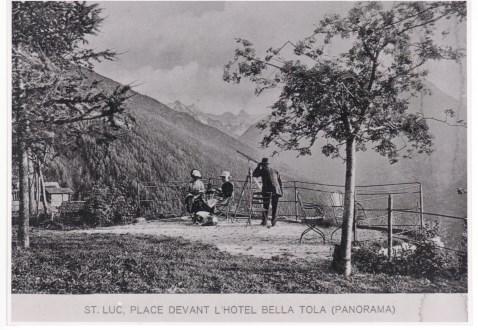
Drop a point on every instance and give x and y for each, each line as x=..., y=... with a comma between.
x=52, y=98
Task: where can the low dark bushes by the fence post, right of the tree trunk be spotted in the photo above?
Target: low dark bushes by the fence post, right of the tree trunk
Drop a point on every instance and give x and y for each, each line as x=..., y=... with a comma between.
x=423, y=259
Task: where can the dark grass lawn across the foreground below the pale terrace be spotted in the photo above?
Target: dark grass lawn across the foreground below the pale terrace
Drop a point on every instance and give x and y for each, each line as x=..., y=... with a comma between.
x=62, y=262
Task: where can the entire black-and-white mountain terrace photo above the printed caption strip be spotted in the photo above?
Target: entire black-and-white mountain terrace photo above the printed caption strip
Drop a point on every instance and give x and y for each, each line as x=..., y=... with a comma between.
x=238, y=147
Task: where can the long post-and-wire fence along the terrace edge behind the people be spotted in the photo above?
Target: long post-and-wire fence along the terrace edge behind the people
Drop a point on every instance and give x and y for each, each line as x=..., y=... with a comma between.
x=372, y=208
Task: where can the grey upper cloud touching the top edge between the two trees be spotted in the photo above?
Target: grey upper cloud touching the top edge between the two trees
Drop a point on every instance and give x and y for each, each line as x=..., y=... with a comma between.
x=170, y=34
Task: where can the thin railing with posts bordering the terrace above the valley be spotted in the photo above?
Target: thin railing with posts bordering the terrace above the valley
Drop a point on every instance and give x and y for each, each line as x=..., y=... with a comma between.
x=394, y=208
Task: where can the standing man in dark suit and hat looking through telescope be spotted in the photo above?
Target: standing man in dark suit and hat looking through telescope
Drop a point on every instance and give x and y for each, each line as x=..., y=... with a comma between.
x=271, y=189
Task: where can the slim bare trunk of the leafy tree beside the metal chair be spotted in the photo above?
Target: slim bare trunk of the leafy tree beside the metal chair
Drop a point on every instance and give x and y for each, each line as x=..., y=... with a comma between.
x=345, y=250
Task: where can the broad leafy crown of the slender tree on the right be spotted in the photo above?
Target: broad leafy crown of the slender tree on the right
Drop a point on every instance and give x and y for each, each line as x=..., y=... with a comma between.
x=362, y=93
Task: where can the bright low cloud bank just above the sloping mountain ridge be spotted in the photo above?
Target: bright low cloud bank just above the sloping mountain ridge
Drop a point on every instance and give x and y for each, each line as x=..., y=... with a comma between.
x=193, y=83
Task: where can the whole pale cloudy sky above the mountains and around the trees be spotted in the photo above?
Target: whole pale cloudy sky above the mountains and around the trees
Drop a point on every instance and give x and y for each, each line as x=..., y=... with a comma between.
x=177, y=50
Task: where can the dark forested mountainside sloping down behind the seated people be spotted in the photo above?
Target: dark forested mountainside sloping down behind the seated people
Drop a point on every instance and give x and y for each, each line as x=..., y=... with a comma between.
x=163, y=146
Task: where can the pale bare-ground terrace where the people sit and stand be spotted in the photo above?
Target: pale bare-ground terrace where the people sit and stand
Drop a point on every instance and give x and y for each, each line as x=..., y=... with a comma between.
x=238, y=238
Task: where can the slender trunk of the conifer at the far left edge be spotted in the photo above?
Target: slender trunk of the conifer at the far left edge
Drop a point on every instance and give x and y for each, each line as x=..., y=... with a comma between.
x=24, y=211
